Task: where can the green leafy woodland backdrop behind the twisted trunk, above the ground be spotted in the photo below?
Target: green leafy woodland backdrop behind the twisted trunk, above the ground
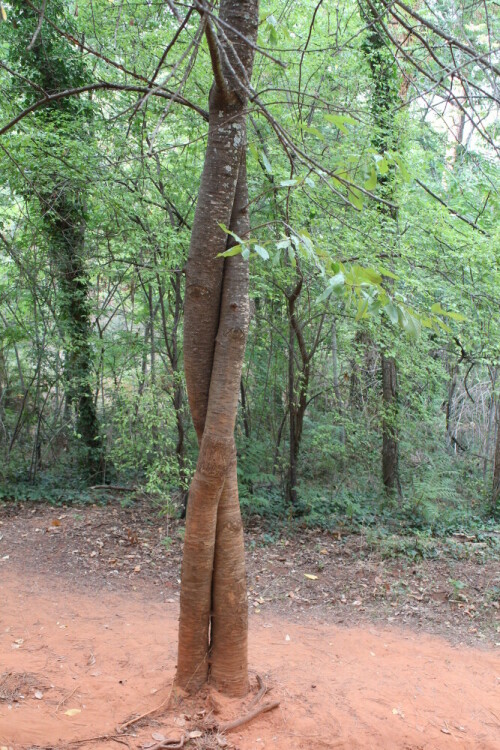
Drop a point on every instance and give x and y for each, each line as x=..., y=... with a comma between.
x=373, y=196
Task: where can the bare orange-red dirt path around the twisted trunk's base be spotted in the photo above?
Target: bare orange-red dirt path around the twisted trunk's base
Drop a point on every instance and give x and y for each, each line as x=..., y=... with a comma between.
x=81, y=654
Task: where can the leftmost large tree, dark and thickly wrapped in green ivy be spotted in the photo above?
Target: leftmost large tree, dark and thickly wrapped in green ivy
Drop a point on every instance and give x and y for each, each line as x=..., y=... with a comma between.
x=53, y=66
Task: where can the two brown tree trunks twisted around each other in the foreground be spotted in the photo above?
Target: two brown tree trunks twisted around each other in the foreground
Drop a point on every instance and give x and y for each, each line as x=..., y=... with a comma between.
x=213, y=618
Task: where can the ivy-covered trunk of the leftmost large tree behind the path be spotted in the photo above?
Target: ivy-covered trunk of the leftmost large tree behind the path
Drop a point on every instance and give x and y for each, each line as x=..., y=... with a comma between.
x=63, y=204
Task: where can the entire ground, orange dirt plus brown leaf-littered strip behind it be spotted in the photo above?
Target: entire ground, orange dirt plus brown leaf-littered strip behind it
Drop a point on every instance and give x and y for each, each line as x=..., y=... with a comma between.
x=363, y=649
